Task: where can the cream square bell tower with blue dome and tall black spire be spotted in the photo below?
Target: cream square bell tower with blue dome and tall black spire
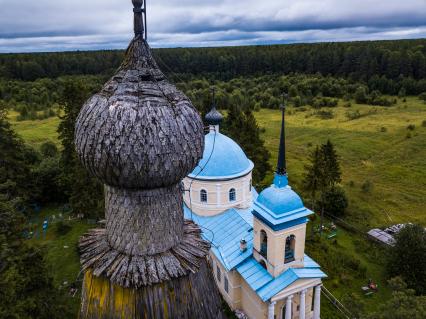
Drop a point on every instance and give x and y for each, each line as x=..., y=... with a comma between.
x=279, y=221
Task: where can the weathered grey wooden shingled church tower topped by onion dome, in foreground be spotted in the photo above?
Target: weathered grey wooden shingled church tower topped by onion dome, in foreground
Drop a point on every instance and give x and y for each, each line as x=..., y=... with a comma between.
x=141, y=136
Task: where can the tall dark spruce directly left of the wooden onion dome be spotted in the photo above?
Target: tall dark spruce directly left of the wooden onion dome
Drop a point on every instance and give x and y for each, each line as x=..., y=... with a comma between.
x=85, y=192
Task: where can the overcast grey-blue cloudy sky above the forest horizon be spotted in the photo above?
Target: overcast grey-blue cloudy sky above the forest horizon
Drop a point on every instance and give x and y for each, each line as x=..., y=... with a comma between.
x=58, y=25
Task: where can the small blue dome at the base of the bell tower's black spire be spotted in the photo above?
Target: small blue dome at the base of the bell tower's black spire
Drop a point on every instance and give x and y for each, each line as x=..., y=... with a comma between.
x=280, y=200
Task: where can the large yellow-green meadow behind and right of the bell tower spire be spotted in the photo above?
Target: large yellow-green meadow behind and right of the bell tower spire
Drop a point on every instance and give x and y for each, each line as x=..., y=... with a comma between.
x=392, y=162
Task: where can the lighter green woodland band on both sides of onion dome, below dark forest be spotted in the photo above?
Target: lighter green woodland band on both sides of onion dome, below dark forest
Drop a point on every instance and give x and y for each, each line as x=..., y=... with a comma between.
x=42, y=98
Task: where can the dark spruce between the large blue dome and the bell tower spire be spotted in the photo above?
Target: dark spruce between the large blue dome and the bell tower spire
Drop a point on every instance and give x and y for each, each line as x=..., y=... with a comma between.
x=243, y=128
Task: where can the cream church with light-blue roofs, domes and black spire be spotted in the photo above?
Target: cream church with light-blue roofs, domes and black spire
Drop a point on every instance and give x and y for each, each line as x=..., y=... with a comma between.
x=258, y=240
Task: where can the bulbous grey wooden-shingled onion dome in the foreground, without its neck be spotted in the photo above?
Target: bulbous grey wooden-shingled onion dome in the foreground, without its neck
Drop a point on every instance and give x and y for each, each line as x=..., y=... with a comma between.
x=139, y=131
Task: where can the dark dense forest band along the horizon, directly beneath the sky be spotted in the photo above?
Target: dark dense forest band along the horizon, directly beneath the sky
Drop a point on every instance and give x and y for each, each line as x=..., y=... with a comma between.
x=385, y=64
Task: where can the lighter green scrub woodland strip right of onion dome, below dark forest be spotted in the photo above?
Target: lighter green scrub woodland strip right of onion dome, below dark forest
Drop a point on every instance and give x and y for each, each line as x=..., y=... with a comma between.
x=265, y=91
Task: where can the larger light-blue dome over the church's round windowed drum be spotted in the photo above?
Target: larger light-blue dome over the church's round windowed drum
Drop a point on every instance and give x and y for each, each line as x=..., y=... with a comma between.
x=227, y=160
